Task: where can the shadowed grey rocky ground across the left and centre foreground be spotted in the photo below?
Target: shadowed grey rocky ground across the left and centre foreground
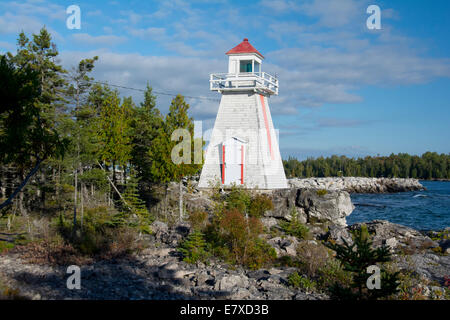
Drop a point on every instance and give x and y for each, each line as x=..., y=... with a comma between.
x=157, y=273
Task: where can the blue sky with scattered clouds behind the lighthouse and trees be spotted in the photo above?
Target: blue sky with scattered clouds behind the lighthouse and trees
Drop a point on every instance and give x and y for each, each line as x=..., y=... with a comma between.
x=344, y=89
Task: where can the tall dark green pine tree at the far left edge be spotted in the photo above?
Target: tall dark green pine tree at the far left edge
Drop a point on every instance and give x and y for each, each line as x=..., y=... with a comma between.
x=35, y=125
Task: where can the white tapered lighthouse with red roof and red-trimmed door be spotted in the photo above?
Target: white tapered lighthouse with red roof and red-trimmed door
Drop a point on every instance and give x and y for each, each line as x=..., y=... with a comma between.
x=243, y=147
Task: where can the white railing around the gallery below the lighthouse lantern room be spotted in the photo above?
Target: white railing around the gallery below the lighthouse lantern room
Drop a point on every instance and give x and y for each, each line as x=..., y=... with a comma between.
x=244, y=81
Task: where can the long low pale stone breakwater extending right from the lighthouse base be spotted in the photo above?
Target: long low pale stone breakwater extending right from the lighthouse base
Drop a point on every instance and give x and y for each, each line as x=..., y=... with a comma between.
x=359, y=184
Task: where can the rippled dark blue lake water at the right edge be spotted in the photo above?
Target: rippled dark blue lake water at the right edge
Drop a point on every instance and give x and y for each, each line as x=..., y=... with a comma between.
x=421, y=210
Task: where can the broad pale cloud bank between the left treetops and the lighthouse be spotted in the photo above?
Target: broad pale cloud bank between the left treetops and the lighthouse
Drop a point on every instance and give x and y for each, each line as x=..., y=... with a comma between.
x=188, y=76
